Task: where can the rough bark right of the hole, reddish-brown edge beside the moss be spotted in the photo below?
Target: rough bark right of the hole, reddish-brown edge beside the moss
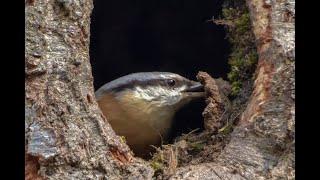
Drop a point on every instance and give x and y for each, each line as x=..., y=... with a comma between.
x=262, y=144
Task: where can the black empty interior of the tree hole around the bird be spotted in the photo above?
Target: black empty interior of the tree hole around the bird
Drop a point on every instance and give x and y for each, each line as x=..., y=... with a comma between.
x=161, y=35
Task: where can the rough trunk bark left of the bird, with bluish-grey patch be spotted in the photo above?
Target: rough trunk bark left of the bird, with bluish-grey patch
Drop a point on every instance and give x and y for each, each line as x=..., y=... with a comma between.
x=67, y=136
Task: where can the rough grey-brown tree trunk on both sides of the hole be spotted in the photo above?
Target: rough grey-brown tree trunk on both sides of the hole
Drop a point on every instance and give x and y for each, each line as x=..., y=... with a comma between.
x=67, y=137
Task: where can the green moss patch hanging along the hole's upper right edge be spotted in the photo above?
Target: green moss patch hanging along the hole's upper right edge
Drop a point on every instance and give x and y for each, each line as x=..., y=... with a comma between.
x=243, y=57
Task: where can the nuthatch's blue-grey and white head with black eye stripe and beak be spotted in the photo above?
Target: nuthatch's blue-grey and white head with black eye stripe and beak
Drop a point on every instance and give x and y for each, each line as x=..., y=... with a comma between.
x=157, y=89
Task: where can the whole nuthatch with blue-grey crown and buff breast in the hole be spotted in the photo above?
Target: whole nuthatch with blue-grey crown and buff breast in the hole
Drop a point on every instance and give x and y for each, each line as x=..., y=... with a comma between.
x=141, y=106
